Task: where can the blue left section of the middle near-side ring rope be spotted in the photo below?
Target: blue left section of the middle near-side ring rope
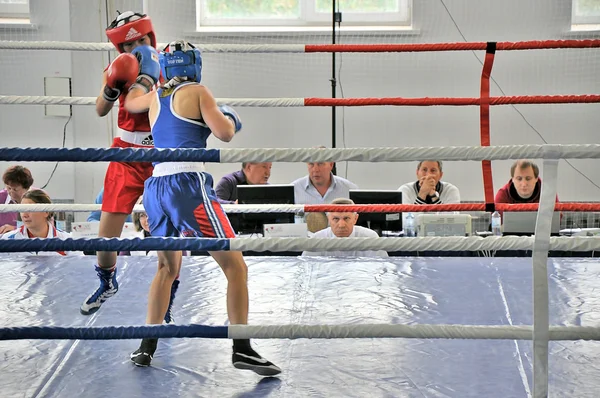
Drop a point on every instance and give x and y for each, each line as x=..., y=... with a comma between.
x=113, y=244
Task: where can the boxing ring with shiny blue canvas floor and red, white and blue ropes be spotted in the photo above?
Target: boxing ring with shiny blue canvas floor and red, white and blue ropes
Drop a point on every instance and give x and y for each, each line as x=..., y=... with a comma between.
x=422, y=327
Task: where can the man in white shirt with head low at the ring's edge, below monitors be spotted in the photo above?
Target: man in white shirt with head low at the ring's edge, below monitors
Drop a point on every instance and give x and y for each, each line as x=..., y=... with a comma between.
x=343, y=225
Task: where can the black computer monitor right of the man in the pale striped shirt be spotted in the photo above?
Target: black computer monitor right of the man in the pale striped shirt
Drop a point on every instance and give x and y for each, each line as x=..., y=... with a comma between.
x=378, y=221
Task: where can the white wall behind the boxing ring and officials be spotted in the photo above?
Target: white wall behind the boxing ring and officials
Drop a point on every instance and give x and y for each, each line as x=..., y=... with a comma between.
x=450, y=74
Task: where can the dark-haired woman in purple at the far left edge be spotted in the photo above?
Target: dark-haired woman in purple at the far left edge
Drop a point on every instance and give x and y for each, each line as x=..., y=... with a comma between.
x=17, y=180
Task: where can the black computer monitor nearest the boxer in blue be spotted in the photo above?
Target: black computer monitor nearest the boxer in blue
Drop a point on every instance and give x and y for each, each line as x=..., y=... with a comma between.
x=250, y=223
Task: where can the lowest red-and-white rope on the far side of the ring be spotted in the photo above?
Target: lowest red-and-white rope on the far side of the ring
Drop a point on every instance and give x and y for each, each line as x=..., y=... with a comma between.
x=300, y=209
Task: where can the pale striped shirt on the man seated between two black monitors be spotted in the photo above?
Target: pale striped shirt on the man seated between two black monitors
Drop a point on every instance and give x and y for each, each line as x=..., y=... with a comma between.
x=305, y=192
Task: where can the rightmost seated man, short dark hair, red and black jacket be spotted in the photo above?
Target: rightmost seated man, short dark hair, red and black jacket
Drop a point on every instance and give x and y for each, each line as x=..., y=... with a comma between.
x=524, y=185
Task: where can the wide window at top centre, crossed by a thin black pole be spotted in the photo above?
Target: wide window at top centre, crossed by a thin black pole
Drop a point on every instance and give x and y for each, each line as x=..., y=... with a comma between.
x=301, y=13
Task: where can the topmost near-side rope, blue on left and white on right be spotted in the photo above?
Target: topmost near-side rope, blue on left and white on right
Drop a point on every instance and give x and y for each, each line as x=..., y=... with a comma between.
x=239, y=155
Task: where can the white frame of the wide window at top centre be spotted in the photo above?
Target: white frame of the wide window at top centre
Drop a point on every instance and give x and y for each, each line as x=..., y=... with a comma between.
x=310, y=18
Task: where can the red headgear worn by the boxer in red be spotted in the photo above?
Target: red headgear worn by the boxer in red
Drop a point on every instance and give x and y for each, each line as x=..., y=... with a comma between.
x=130, y=26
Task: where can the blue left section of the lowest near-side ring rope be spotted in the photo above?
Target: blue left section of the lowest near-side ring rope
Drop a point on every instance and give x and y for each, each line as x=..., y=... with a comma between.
x=112, y=332
